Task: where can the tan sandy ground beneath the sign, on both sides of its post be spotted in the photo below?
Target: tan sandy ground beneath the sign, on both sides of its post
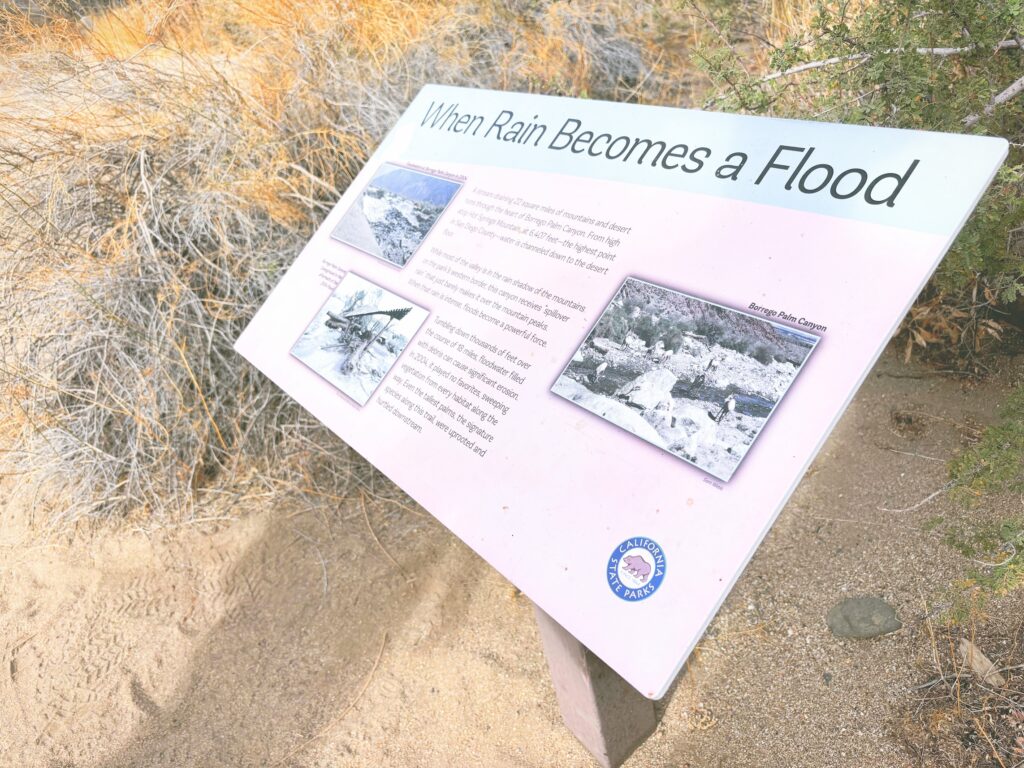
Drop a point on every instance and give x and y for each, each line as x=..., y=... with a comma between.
x=290, y=638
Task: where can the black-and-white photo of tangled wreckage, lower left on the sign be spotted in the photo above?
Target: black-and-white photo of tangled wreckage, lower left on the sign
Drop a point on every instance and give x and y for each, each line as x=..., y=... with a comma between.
x=358, y=336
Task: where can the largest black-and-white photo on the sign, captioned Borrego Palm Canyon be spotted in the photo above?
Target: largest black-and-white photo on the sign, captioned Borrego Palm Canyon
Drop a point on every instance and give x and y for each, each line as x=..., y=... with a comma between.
x=692, y=377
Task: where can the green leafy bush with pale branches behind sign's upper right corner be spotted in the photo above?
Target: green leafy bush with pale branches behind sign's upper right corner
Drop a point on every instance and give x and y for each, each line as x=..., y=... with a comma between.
x=940, y=65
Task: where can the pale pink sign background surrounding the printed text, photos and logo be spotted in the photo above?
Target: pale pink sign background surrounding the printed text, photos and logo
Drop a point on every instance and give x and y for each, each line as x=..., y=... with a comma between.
x=560, y=488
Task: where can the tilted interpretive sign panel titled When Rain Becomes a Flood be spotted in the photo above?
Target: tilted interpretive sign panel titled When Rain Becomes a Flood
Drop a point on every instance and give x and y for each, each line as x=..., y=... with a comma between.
x=603, y=343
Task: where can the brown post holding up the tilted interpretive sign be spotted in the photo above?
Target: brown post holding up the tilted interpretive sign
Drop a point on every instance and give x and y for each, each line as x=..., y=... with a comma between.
x=605, y=712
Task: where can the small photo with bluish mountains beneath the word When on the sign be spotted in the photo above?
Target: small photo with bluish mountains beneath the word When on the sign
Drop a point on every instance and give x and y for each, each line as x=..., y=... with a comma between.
x=396, y=212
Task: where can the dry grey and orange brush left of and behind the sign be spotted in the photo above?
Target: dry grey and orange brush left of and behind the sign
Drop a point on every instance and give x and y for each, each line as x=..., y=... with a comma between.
x=163, y=161
